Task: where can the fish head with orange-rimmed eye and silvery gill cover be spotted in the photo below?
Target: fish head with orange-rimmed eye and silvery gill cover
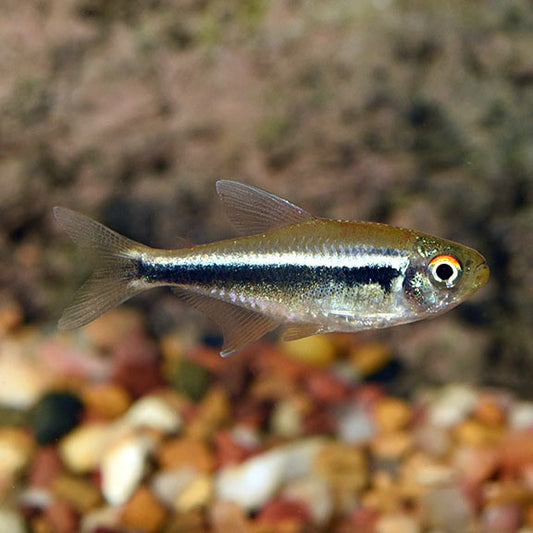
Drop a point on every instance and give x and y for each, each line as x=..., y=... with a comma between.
x=442, y=274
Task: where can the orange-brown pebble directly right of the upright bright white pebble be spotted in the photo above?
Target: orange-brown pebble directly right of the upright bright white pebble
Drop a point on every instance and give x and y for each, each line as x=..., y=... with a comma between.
x=186, y=451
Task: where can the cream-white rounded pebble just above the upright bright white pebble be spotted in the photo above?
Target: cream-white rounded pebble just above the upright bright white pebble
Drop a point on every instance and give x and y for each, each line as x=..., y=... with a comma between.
x=153, y=412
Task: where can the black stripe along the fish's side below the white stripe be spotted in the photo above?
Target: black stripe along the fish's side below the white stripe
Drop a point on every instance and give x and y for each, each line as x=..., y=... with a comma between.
x=280, y=275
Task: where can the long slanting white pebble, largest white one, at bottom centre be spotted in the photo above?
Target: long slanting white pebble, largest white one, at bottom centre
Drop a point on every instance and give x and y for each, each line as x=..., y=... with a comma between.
x=254, y=481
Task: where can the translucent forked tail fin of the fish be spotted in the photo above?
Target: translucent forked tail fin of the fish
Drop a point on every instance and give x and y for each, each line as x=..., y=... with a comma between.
x=114, y=278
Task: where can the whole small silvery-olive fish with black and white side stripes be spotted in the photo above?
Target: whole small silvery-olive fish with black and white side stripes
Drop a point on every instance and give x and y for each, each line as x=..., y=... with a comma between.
x=288, y=269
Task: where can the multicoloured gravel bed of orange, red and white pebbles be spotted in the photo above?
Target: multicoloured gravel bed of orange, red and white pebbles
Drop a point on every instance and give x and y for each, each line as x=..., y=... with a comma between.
x=108, y=430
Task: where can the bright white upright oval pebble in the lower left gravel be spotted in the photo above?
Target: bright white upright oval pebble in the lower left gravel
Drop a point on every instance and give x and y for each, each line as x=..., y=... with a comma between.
x=123, y=466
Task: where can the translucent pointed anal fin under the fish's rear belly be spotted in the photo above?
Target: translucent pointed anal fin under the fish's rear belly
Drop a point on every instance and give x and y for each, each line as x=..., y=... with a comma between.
x=240, y=326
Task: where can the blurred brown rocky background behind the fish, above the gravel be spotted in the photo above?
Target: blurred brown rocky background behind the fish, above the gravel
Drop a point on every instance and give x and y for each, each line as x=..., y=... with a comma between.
x=414, y=113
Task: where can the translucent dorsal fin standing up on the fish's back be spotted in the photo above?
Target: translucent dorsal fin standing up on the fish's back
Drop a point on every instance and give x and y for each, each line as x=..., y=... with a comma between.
x=253, y=211
